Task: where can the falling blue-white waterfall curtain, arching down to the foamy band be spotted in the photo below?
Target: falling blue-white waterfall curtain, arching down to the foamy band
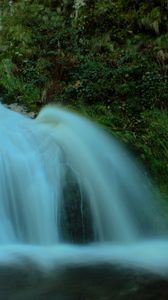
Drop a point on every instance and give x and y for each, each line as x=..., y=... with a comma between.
x=35, y=155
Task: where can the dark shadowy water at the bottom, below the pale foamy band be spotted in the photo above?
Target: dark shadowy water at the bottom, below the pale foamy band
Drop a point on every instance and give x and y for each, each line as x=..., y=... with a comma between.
x=103, y=282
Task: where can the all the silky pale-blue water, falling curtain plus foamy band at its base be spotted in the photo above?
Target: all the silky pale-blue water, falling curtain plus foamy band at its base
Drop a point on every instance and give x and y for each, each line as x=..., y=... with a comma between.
x=36, y=156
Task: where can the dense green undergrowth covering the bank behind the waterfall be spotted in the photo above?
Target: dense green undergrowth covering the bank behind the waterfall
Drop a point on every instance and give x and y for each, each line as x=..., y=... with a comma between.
x=106, y=59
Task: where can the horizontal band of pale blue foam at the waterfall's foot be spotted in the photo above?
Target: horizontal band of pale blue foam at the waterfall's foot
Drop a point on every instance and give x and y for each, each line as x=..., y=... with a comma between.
x=148, y=256
